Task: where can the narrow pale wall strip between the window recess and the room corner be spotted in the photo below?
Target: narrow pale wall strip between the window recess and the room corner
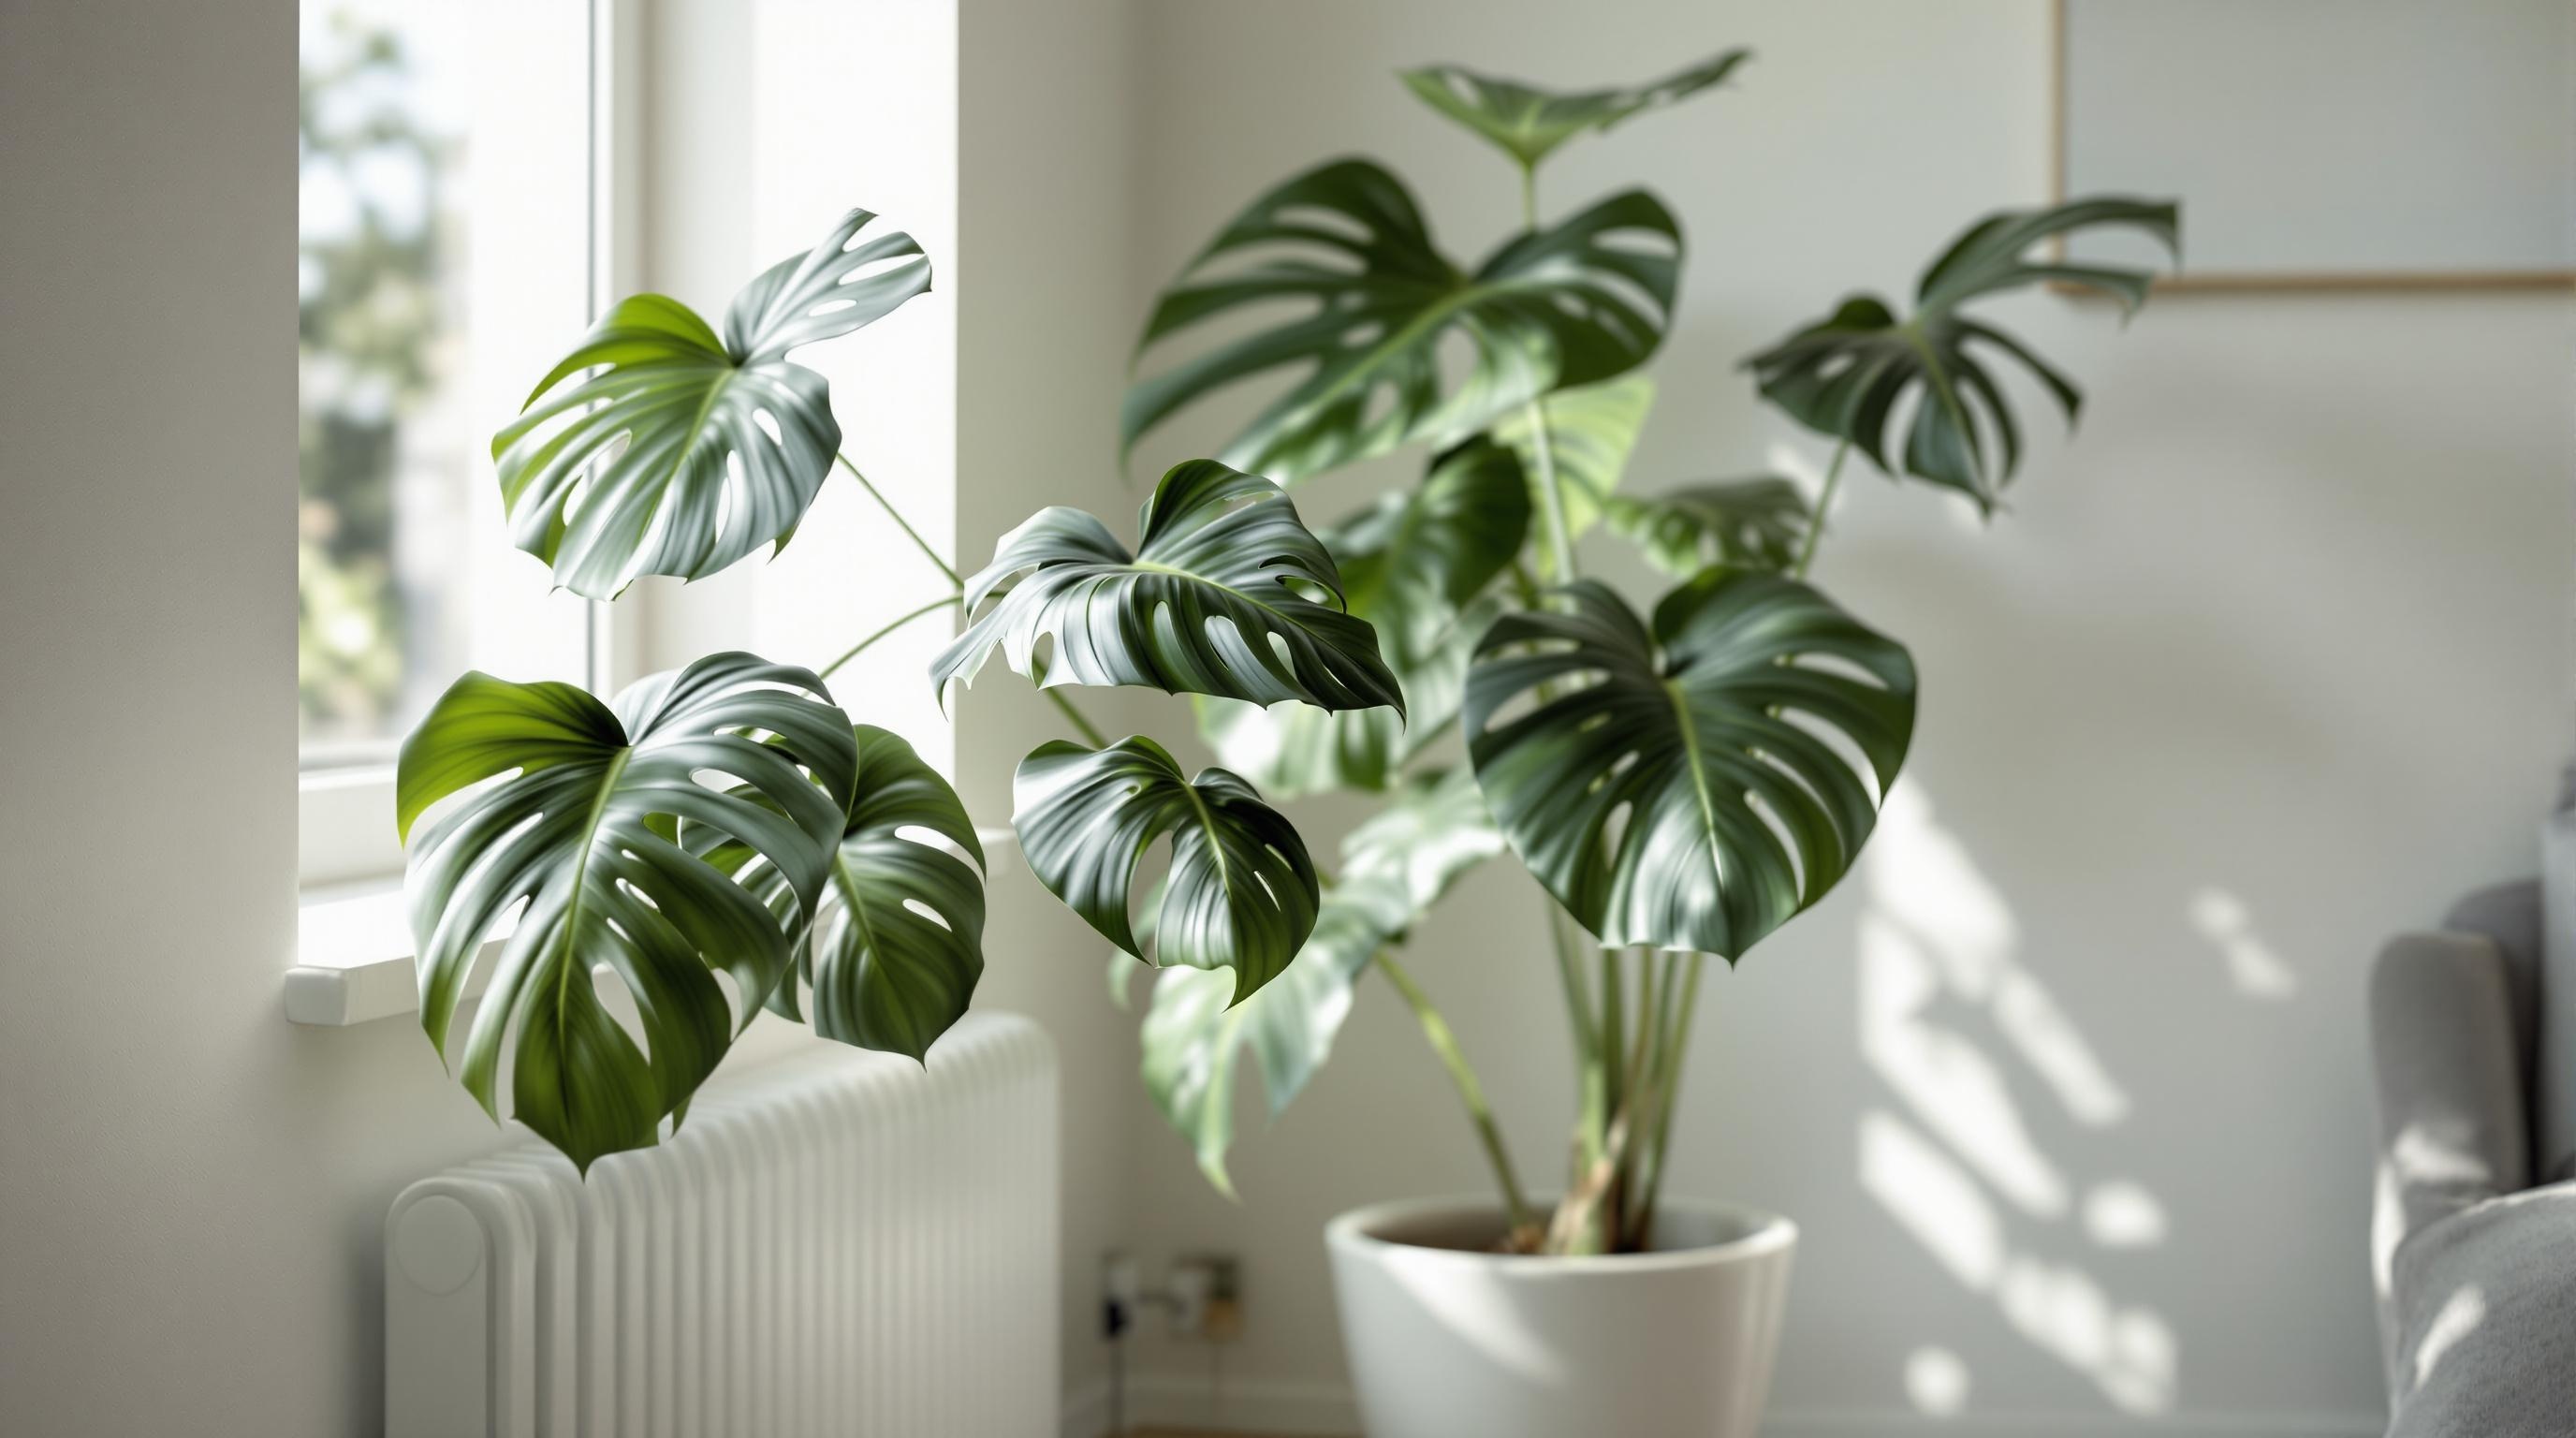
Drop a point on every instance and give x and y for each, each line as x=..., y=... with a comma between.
x=1045, y=195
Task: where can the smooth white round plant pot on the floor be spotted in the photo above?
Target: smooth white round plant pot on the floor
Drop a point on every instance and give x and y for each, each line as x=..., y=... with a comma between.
x=1452, y=1341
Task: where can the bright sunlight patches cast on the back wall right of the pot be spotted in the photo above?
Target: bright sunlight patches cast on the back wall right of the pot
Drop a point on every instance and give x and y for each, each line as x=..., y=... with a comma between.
x=1951, y=1156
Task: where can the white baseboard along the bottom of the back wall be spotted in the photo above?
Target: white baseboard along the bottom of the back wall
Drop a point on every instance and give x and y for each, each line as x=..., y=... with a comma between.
x=1171, y=1401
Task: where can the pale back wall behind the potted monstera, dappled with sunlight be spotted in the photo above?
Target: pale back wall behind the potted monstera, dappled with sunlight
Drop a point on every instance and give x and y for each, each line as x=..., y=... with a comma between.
x=2281, y=646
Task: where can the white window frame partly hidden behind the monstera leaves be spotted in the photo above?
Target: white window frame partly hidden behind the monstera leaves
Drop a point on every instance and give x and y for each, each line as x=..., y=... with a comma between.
x=346, y=790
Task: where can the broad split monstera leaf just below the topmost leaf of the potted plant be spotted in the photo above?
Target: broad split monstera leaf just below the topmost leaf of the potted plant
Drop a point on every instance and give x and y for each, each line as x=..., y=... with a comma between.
x=1377, y=305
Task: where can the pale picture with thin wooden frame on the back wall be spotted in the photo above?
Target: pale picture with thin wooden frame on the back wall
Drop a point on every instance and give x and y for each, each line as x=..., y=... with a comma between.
x=2333, y=143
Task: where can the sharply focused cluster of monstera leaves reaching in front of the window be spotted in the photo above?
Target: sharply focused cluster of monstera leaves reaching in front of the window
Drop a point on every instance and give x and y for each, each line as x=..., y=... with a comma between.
x=728, y=839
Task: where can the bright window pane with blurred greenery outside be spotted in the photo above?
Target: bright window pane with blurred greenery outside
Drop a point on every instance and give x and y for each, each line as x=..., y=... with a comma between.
x=444, y=259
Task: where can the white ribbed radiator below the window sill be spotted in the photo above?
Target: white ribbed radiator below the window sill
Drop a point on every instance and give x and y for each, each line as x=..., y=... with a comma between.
x=838, y=1243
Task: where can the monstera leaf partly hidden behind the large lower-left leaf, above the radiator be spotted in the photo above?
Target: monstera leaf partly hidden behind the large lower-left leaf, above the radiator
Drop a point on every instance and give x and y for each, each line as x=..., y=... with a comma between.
x=900, y=937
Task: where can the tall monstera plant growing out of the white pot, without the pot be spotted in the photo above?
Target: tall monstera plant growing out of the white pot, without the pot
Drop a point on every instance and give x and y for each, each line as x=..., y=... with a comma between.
x=1681, y=774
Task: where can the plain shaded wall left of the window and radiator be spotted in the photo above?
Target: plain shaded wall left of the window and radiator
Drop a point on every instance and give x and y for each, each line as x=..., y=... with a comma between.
x=189, y=1187
